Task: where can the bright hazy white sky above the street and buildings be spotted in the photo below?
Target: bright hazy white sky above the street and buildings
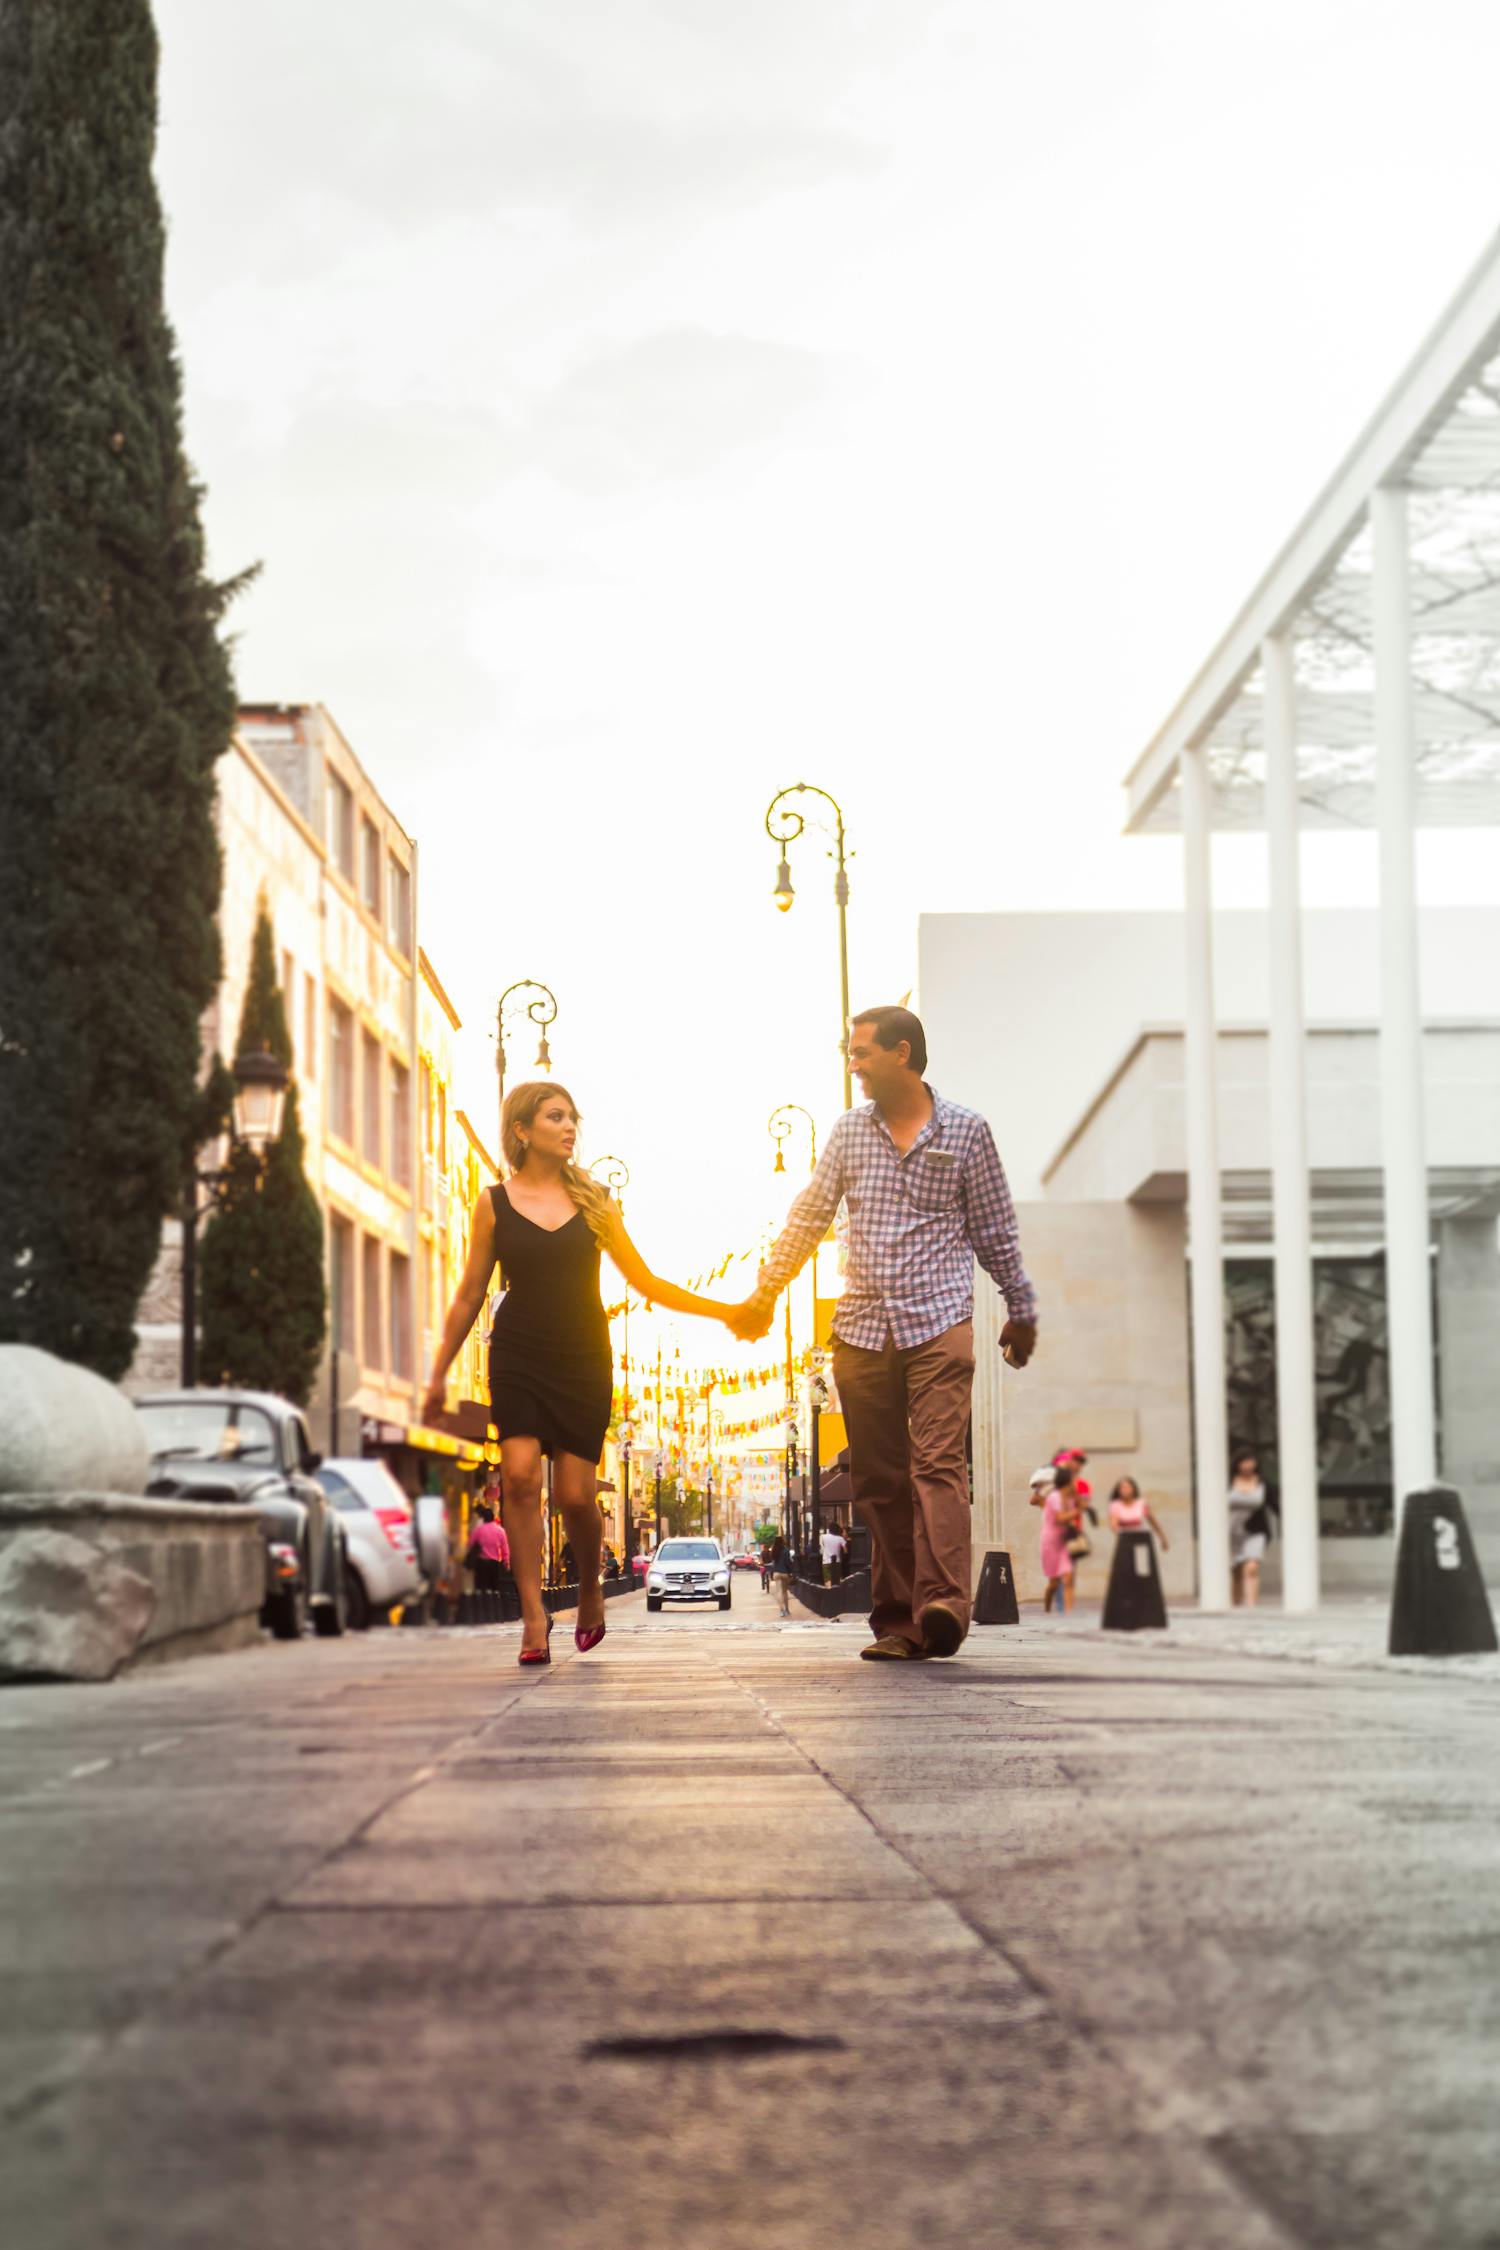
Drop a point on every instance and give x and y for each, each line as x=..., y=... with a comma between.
x=644, y=406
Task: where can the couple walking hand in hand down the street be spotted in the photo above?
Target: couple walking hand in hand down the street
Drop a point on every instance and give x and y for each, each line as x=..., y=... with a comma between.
x=925, y=1198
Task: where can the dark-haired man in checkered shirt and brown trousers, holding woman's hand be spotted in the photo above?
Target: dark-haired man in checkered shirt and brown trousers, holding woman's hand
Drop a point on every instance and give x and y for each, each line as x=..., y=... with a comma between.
x=925, y=1198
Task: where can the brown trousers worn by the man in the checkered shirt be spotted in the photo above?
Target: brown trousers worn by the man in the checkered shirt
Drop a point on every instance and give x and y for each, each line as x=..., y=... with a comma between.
x=907, y=1419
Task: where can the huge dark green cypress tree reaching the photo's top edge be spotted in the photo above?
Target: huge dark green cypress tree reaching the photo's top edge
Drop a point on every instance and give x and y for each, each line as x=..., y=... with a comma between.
x=116, y=692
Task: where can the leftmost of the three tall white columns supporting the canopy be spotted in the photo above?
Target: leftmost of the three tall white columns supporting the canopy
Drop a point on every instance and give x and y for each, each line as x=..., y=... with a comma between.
x=1200, y=1061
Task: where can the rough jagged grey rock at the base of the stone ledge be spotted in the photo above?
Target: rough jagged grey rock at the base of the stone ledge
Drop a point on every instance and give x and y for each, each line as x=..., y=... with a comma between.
x=69, y=1610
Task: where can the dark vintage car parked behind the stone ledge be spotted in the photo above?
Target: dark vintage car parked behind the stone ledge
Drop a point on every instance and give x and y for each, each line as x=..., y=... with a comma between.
x=253, y=1450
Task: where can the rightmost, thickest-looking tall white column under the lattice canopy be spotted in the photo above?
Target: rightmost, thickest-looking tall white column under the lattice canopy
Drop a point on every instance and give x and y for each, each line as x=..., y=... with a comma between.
x=1409, y=1279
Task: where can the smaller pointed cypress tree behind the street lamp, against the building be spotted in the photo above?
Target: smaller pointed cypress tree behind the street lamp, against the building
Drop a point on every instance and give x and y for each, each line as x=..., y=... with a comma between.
x=264, y=1250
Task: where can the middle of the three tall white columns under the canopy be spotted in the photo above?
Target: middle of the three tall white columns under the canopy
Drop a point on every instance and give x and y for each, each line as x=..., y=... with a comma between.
x=1290, y=1185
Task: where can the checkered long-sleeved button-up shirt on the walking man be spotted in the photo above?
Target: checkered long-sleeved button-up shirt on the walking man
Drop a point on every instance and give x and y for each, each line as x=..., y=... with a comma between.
x=916, y=1225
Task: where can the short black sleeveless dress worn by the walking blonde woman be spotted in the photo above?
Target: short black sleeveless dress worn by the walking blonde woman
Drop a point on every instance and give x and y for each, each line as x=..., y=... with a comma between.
x=552, y=1374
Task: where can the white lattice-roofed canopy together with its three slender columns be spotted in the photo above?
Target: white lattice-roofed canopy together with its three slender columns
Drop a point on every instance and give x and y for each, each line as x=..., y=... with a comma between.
x=1359, y=685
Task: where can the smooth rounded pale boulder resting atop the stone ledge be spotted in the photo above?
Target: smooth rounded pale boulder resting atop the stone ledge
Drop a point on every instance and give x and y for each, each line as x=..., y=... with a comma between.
x=66, y=1430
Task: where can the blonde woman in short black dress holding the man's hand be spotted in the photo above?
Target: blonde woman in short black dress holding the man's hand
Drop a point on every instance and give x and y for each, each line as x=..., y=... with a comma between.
x=552, y=1376
